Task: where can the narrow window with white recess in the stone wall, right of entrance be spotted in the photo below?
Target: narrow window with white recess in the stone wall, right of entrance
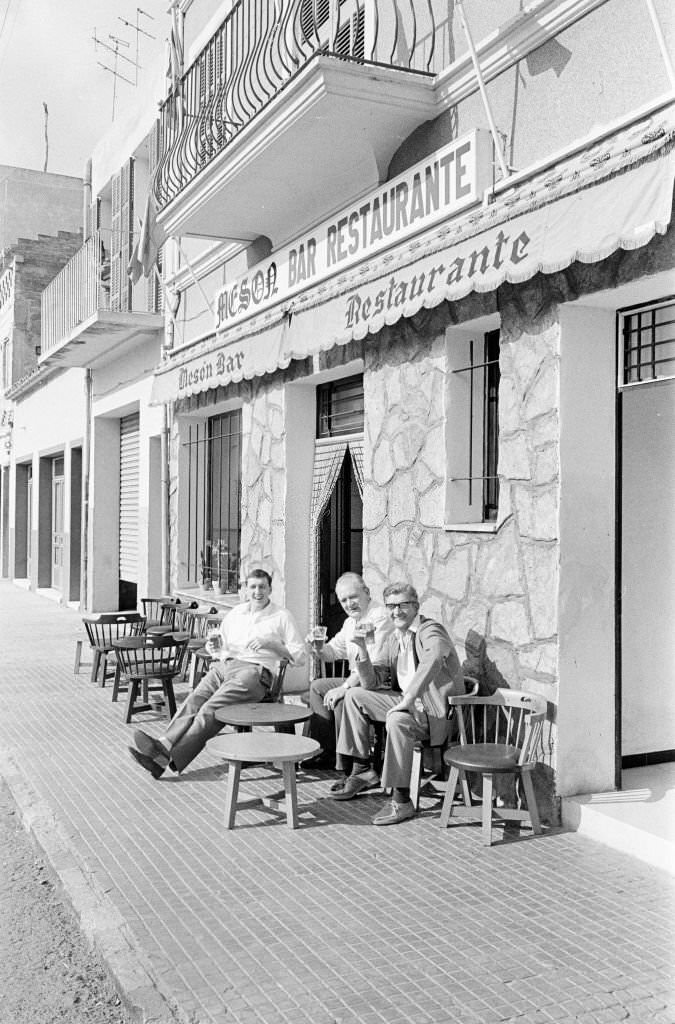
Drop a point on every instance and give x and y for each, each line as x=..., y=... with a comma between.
x=474, y=429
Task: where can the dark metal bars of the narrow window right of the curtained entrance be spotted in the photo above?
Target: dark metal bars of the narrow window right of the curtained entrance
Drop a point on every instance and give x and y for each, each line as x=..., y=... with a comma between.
x=484, y=415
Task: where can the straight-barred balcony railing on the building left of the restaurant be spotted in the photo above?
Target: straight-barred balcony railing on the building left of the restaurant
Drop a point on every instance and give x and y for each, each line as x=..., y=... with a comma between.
x=94, y=281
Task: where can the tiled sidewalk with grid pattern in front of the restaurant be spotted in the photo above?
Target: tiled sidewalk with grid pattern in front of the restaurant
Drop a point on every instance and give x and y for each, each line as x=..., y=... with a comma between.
x=336, y=923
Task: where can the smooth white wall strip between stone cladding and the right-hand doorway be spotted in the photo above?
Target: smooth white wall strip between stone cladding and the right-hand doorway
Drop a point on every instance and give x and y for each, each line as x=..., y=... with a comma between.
x=586, y=693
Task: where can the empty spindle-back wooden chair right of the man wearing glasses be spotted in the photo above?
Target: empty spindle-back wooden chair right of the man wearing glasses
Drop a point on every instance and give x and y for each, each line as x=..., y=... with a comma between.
x=499, y=735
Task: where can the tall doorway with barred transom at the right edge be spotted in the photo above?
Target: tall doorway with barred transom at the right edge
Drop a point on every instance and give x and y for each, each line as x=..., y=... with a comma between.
x=648, y=538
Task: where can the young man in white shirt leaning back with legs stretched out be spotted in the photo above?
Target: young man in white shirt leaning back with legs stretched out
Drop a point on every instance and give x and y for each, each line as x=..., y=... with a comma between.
x=257, y=636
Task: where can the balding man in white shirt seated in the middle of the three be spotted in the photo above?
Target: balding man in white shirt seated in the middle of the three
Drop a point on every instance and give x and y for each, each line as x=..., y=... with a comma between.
x=326, y=696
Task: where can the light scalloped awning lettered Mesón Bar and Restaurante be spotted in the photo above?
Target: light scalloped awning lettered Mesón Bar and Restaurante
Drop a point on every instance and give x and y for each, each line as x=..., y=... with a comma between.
x=617, y=195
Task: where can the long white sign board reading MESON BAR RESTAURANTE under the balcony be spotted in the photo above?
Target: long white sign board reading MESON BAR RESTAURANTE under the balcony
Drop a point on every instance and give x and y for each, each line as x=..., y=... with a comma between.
x=434, y=190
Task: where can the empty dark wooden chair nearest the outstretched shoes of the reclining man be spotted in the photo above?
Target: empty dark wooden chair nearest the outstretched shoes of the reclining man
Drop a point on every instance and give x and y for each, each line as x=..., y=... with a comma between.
x=146, y=661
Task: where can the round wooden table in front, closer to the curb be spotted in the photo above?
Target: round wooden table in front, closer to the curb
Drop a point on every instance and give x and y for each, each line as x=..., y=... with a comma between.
x=269, y=748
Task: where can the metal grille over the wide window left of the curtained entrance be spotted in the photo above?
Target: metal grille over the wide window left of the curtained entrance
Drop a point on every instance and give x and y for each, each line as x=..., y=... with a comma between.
x=215, y=480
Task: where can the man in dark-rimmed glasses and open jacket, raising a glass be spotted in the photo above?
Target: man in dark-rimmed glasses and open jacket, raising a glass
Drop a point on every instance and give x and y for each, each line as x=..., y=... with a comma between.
x=420, y=666
